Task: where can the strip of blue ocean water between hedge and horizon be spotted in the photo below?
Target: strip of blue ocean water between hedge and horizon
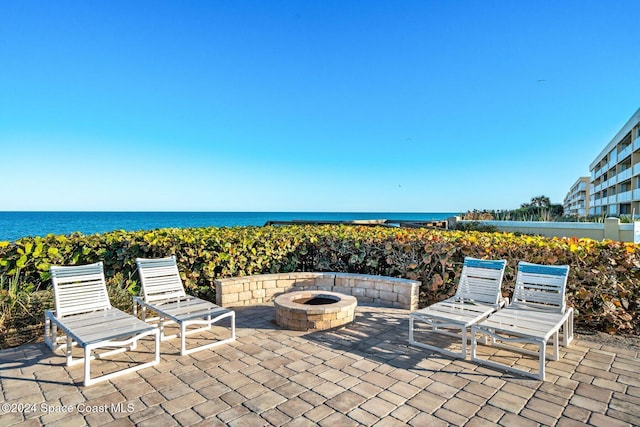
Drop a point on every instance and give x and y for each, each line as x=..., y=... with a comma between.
x=14, y=225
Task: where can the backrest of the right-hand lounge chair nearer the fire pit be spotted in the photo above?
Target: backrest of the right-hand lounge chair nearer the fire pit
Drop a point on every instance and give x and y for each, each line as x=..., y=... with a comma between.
x=481, y=280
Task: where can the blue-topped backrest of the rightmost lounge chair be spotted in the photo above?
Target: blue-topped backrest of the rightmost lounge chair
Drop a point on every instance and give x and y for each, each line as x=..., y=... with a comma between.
x=541, y=286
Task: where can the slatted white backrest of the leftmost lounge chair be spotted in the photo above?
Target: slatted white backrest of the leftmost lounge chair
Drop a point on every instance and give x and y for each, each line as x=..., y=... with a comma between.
x=79, y=289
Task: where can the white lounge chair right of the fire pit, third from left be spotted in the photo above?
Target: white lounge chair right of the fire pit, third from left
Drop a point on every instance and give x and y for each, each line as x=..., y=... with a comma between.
x=477, y=296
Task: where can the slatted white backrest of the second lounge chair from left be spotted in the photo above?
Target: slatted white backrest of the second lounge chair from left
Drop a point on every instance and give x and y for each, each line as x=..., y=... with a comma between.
x=160, y=279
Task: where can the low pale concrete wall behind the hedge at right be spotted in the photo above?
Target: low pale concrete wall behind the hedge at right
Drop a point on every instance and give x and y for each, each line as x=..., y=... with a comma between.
x=611, y=229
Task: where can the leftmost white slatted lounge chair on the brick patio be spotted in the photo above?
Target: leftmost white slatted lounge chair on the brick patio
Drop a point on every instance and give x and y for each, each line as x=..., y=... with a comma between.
x=85, y=315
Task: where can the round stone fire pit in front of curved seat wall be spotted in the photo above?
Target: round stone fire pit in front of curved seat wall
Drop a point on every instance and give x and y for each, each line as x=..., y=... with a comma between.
x=314, y=310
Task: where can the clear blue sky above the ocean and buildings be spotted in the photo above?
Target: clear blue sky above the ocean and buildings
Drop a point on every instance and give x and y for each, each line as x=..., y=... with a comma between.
x=382, y=106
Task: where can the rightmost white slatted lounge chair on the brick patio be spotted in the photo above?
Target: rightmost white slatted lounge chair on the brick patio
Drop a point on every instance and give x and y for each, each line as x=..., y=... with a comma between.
x=537, y=313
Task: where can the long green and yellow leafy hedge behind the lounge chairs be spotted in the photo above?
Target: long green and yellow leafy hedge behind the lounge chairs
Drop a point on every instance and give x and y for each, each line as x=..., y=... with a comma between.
x=603, y=288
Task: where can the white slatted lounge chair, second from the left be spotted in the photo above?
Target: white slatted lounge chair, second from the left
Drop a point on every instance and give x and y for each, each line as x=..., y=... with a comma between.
x=162, y=291
